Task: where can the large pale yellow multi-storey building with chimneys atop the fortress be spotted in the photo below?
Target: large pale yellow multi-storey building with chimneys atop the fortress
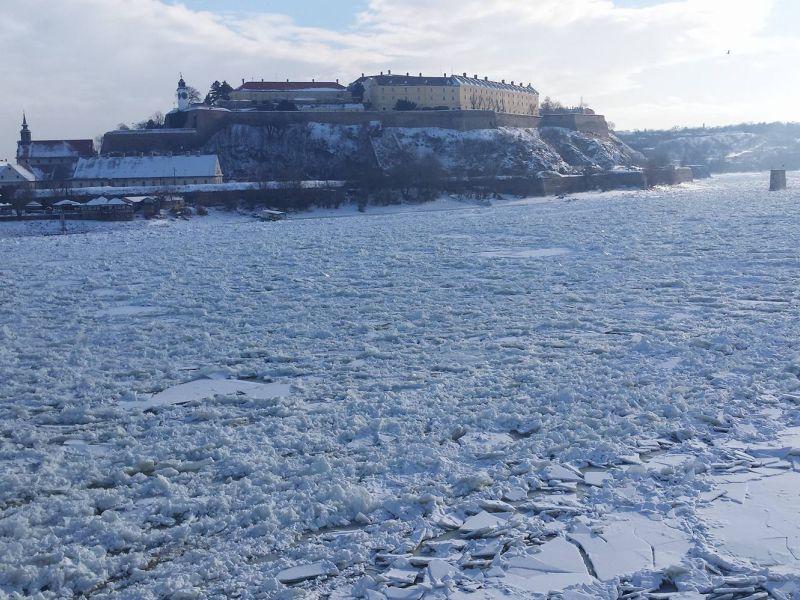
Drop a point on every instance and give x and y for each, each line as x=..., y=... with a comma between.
x=453, y=92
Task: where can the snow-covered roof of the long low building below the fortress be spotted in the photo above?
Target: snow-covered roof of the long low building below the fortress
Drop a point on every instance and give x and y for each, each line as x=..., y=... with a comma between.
x=148, y=167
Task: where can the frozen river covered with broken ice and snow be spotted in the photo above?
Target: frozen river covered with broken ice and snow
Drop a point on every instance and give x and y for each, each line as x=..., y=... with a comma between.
x=592, y=396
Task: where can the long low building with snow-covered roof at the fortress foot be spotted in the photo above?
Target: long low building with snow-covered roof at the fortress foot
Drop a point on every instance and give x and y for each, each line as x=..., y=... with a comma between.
x=147, y=171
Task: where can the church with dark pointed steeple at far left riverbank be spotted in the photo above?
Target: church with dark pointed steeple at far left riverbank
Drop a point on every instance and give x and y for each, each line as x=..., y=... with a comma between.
x=50, y=160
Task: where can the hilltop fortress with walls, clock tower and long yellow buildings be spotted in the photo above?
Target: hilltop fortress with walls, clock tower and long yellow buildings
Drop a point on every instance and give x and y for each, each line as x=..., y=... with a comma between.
x=456, y=102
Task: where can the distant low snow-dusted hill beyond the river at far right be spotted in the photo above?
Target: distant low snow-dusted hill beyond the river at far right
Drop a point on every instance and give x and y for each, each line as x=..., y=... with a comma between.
x=744, y=147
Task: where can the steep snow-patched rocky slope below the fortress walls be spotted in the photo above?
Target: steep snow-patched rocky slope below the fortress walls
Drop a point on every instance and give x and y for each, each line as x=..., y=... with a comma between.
x=321, y=151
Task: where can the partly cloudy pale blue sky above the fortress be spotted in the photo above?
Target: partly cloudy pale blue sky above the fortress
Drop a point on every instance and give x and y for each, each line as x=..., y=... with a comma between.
x=80, y=67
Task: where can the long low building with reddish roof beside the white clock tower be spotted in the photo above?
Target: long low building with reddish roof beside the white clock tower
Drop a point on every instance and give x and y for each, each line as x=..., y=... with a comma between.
x=296, y=92
